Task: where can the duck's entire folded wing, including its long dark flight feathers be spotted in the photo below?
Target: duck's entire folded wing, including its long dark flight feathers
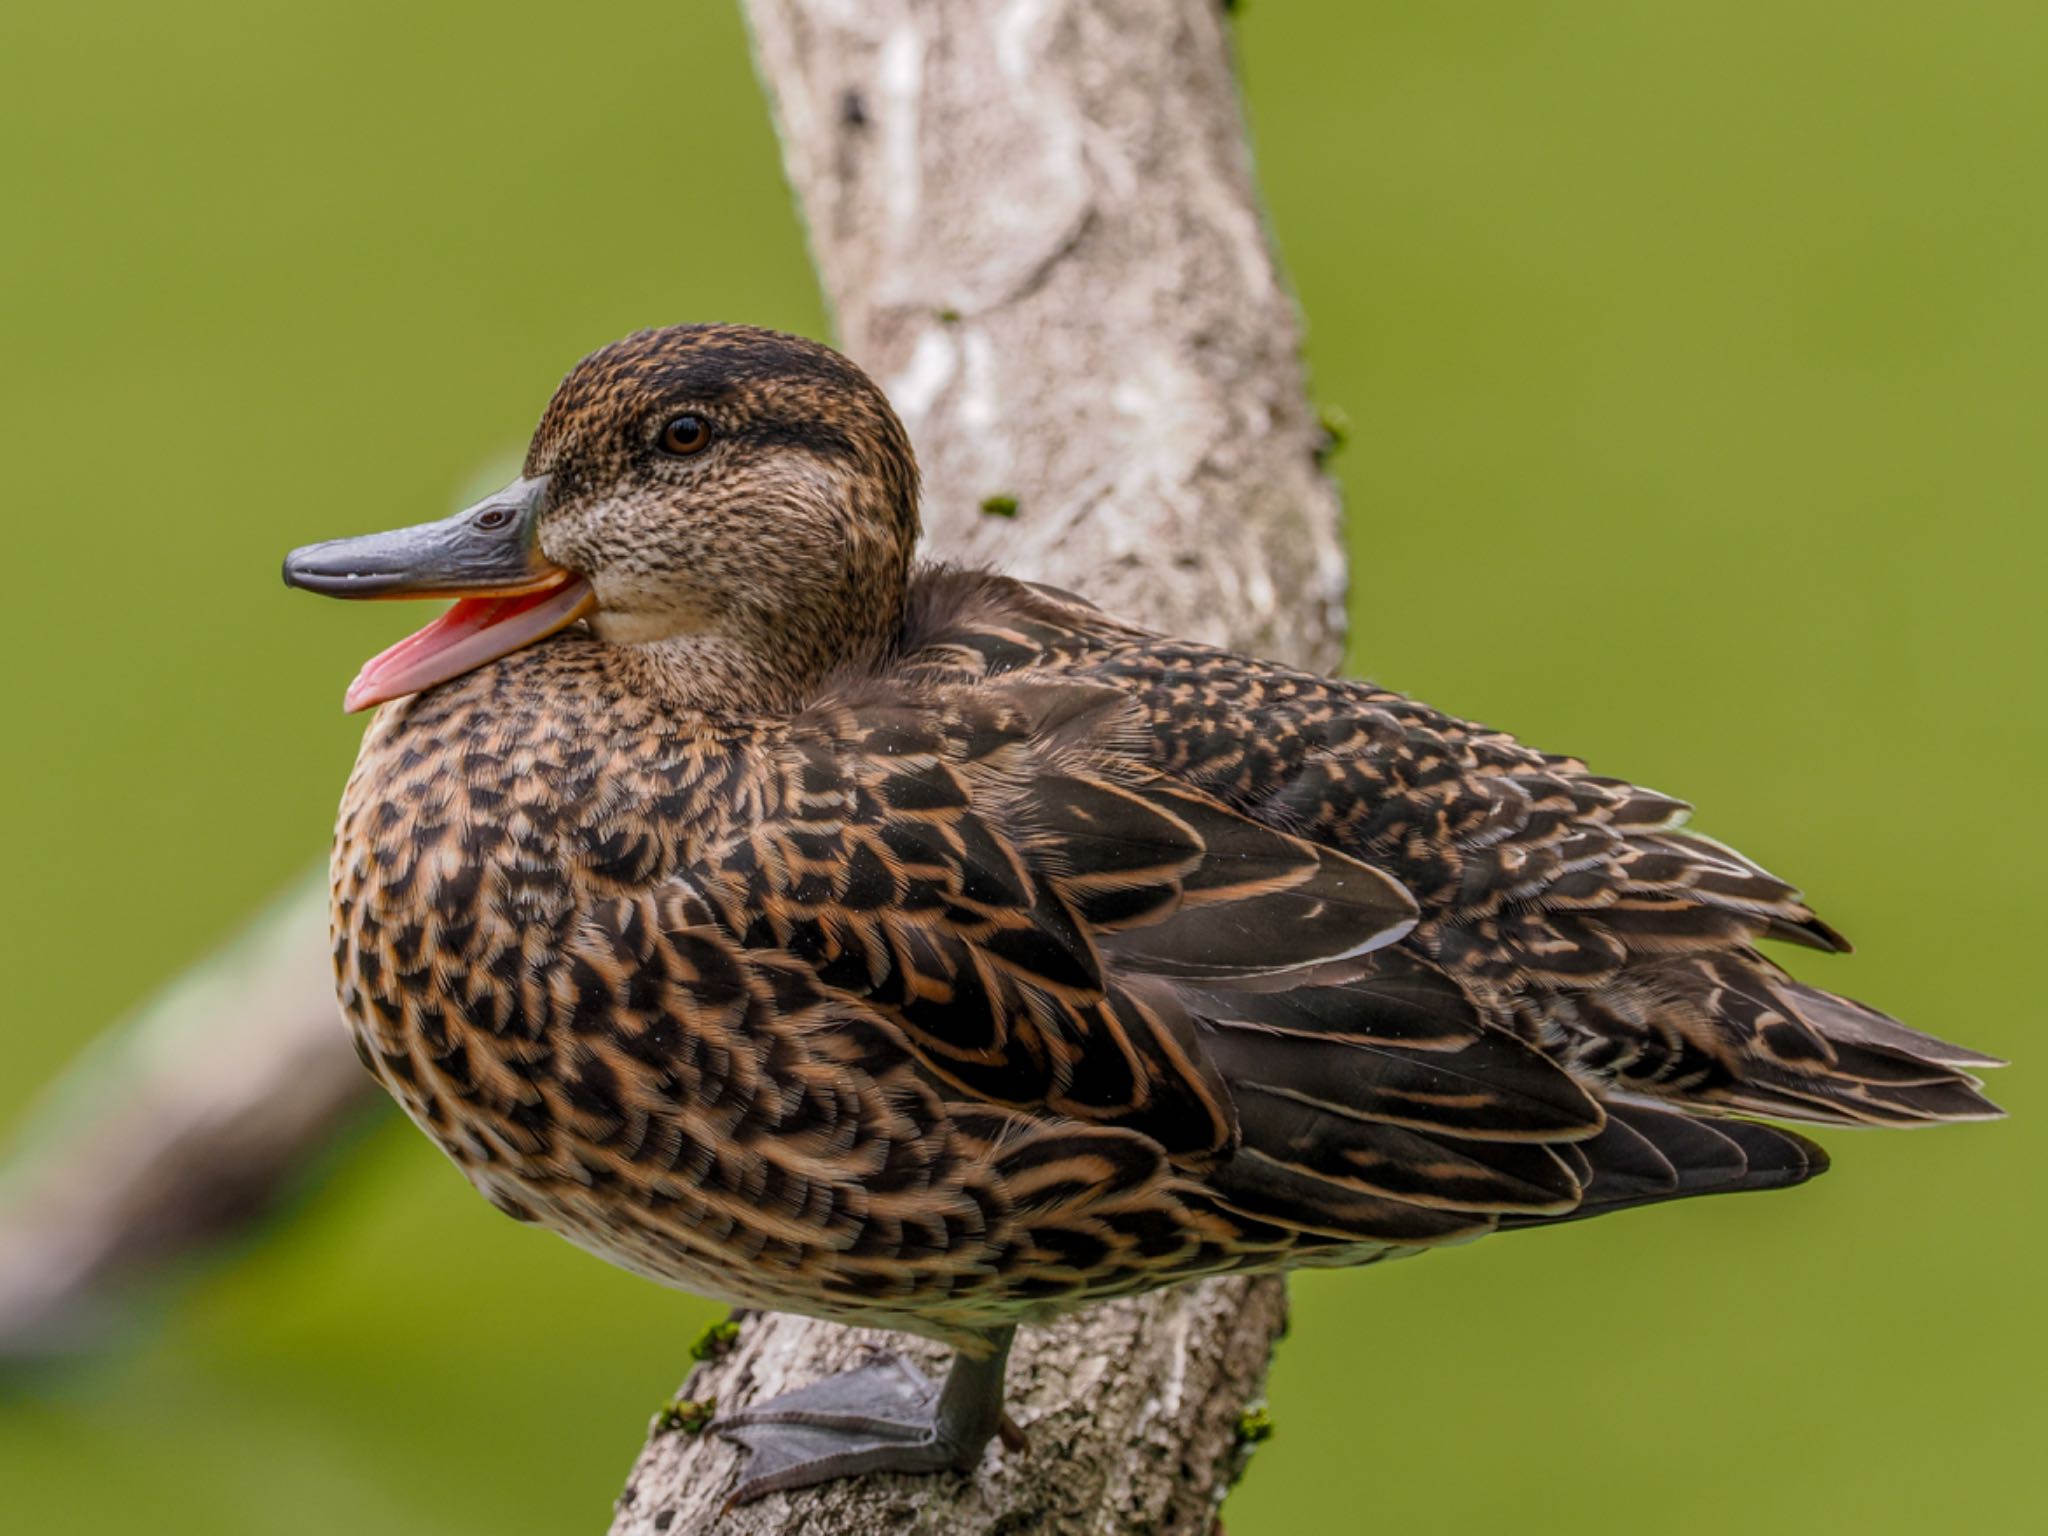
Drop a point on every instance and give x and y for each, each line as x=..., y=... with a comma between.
x=1060, y=929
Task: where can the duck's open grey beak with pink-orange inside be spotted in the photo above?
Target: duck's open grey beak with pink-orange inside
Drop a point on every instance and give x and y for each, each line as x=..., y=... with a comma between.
x=486, y=558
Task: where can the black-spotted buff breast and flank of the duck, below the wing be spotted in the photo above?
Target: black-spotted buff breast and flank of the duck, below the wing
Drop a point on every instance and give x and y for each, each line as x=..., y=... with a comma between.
x=554, y=1005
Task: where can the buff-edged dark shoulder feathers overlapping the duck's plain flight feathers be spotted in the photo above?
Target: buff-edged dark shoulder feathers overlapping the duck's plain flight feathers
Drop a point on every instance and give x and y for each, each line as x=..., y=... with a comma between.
x=1005, y=892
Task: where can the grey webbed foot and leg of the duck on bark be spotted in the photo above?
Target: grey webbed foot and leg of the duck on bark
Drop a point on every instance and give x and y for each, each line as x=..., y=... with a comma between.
x=882, y=1418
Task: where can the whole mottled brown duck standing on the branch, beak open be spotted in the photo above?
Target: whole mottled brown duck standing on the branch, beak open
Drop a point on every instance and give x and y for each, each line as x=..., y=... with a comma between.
x=810, y=927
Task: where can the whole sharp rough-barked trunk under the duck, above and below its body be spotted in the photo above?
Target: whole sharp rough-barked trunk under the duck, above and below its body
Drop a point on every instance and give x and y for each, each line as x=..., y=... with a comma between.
x=1037, y=226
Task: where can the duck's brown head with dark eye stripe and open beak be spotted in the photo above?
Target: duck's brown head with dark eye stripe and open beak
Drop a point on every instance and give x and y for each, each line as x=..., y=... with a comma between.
x=720, y=497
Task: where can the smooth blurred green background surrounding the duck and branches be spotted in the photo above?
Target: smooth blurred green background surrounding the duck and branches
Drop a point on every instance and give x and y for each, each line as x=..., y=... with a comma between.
x=1697, y=364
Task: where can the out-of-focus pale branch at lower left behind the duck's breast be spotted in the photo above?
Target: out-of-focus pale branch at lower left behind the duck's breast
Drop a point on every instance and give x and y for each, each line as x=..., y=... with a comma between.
x=177, y=1129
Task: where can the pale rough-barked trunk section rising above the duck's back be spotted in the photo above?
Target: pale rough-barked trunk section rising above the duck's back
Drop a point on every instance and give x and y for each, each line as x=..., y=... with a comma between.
x=1037, y=226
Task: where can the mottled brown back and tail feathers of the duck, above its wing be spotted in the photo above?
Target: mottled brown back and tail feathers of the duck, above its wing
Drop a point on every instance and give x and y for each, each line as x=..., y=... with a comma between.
x=1578, y=906
